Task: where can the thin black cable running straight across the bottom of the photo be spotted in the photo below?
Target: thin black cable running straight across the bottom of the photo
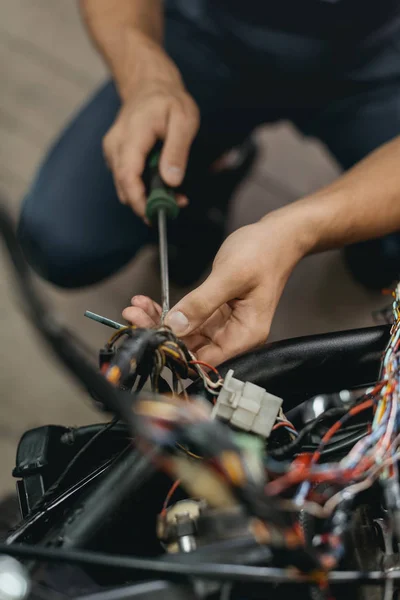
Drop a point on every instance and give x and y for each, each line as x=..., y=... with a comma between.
x=171, y=569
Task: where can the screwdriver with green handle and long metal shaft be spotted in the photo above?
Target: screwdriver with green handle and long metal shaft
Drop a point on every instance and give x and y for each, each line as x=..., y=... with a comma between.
x=161, y=204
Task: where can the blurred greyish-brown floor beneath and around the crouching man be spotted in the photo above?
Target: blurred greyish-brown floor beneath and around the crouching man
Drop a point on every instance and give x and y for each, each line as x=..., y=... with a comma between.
x=47, y=68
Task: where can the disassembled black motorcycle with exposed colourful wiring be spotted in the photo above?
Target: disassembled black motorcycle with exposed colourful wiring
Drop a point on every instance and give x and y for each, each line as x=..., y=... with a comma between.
x=276, y=473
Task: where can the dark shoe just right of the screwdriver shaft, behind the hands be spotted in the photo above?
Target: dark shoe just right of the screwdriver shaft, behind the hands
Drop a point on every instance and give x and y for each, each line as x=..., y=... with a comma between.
x=199, y=230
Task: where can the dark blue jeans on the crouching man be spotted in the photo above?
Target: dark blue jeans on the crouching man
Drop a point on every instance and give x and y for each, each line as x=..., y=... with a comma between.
x=72, y=227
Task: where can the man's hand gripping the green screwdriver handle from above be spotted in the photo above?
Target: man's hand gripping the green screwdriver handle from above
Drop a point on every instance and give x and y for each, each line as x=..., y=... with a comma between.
x=156, y=106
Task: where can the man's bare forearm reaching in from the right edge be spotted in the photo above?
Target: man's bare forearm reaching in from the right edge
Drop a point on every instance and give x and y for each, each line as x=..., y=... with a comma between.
x=362, y=204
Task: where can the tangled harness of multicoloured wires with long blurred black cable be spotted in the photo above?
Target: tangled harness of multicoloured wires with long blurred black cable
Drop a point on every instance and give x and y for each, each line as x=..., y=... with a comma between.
x=204, y=457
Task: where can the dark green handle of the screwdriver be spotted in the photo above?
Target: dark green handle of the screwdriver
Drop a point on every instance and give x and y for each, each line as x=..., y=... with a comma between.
x=160, y=196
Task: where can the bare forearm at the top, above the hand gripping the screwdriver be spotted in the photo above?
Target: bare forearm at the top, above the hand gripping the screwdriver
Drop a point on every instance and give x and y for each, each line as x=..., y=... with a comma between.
x=122, y=30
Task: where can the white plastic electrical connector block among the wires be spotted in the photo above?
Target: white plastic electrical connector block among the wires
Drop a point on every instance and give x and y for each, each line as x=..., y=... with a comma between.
x=246, y=406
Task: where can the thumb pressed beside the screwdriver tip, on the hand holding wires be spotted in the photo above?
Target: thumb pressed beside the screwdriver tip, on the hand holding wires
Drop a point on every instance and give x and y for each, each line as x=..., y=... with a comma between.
x=195, y=308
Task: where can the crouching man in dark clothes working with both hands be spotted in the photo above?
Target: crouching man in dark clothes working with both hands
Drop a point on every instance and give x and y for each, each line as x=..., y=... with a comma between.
x=200, y=75
